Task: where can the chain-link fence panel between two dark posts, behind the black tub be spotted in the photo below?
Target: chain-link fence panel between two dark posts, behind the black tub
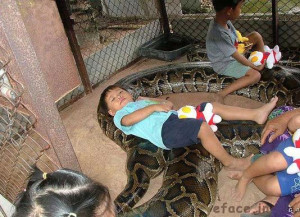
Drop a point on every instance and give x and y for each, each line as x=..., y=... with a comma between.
x=109, y=32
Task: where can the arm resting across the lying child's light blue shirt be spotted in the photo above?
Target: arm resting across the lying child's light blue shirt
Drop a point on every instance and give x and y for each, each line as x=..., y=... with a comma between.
x=143, y=113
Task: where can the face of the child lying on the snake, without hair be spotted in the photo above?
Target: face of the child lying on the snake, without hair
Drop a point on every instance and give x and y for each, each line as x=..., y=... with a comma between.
x=116, y=99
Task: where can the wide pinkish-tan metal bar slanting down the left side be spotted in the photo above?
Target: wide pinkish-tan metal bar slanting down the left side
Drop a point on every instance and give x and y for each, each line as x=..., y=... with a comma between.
x=37, y=91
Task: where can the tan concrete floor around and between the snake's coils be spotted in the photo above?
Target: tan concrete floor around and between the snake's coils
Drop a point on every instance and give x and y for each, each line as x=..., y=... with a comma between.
x=104, y=161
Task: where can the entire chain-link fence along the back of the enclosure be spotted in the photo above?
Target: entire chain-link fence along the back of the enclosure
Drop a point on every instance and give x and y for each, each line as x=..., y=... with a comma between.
x=110, y=32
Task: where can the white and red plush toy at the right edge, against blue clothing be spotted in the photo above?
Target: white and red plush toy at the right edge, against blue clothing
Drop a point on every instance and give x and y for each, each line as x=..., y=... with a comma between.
x=294, y=152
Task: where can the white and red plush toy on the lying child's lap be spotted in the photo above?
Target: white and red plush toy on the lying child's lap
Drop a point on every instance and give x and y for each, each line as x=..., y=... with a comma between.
x=203, y=111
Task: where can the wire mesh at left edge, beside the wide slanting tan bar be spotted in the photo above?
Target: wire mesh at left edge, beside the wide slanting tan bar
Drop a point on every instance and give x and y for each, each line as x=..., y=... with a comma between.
x=21, y=146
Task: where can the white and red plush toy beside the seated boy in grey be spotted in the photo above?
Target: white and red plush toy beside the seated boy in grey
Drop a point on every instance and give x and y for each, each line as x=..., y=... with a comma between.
x=271, y=56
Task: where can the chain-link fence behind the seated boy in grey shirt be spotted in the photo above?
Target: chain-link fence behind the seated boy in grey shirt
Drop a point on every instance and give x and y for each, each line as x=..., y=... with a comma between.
x=193, y=17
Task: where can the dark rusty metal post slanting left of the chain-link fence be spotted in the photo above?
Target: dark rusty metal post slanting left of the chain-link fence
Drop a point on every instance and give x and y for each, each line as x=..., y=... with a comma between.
x=65, y=17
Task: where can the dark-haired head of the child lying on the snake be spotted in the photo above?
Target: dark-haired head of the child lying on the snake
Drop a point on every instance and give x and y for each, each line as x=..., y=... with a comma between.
x=112, y=99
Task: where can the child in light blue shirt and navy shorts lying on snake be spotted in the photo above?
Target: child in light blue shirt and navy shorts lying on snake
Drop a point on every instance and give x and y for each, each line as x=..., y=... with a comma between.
x=154, y=120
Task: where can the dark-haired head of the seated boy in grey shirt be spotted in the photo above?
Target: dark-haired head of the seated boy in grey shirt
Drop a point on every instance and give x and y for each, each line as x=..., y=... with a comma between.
x=228, y=6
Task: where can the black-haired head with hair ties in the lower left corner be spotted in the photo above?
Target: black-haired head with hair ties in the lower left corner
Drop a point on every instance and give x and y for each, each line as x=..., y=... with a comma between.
x=63, y=193
